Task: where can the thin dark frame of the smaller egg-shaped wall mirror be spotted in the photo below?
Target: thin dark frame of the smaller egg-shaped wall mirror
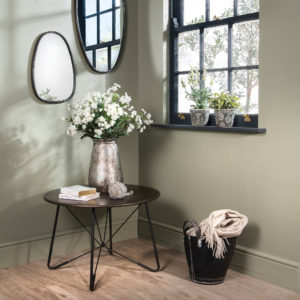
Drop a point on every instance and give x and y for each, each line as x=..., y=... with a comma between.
x=33, y=62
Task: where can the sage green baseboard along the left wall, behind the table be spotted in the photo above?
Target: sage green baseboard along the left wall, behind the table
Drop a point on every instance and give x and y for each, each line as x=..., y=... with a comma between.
x=29, y=250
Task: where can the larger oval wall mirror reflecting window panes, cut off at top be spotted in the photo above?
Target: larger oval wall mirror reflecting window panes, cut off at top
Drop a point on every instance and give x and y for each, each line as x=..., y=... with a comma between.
x=100, y=27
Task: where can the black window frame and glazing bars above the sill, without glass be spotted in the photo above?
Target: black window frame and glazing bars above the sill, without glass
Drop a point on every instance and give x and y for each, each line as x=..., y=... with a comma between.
x=176, y=26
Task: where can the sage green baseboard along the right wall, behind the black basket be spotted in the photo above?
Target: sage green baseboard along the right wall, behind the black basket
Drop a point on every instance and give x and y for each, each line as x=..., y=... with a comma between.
x=260, y=265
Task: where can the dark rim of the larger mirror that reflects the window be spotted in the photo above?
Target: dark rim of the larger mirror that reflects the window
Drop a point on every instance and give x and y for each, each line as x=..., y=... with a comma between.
x=122, y=44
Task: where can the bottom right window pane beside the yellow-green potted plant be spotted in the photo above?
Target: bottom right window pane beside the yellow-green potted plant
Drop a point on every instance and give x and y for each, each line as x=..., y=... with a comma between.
x=245, y=86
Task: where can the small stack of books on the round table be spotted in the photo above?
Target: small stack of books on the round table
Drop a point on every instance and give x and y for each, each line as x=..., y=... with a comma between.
x=78, y=192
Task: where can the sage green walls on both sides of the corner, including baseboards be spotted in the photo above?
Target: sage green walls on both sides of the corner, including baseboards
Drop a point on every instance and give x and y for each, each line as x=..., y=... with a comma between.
x=196, y=172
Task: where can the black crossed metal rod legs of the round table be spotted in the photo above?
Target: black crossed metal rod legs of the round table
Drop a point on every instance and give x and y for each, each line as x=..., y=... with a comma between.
x=102, y=242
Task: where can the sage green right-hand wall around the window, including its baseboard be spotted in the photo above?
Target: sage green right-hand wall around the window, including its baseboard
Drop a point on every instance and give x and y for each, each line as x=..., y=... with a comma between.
x=256, y=174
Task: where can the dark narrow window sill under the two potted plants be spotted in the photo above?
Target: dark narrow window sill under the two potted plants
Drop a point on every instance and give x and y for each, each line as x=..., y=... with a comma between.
x=211, y=128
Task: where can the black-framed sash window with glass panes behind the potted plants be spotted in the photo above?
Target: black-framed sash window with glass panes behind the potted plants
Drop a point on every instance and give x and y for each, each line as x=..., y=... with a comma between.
x=220, y=38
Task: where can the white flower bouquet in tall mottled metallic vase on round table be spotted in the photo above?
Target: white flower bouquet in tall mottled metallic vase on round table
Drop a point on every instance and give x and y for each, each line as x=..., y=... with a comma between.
x=104, y=118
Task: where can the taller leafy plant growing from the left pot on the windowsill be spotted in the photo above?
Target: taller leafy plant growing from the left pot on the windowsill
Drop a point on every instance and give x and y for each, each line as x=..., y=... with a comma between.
x=193, y=92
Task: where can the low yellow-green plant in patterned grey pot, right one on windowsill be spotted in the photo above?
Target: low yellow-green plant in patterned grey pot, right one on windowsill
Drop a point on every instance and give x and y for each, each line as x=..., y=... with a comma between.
x=225, y=105
